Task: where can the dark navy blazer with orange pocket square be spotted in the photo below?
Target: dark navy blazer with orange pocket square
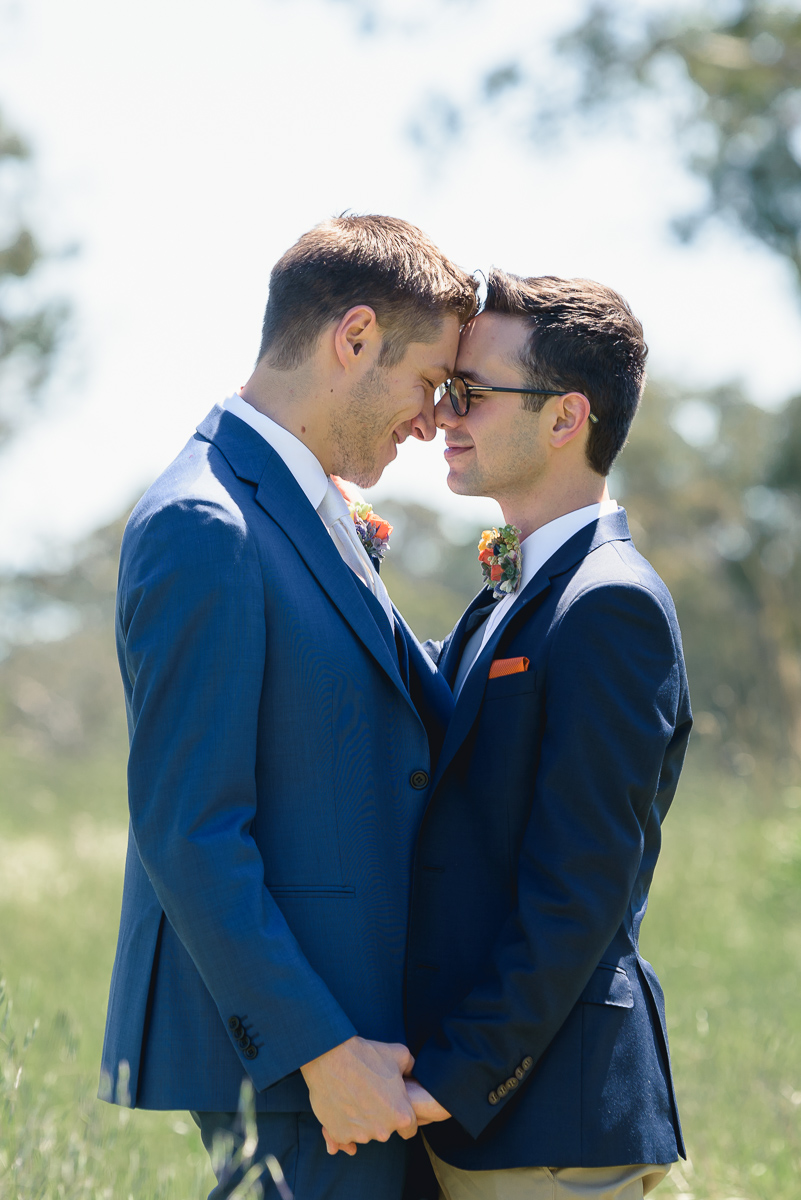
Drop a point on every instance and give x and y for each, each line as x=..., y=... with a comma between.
x=533, y=1017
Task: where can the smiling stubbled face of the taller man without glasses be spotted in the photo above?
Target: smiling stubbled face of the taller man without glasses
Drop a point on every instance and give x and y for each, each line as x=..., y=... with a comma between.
x=392, y=404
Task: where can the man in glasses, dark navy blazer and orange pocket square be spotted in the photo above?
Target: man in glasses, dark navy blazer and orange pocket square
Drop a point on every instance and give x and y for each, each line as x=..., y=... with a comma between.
x=534, y=1019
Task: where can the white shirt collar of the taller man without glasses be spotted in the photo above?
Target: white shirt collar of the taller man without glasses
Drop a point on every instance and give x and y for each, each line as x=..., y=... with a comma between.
x=321, y=493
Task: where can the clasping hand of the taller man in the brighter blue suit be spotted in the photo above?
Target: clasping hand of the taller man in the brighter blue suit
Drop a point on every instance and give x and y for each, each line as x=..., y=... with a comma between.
x=358, y=1093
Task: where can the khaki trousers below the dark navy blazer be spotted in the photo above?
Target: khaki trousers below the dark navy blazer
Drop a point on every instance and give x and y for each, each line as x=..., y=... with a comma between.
x=547, y=1183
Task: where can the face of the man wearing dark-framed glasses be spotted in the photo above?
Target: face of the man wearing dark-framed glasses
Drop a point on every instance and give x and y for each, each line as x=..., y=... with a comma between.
x=498, y=449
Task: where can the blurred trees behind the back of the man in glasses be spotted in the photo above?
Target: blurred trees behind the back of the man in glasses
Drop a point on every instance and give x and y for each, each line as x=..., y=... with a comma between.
x=714, y=506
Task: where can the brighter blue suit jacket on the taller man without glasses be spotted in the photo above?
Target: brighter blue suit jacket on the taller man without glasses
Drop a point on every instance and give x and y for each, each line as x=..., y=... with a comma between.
x=278, y=777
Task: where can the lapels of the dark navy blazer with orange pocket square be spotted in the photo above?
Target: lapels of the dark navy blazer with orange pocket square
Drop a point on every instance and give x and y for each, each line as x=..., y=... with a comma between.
x=613, y=527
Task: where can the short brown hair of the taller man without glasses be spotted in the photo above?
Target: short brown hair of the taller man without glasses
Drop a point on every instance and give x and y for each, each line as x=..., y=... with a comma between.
x=382, y=262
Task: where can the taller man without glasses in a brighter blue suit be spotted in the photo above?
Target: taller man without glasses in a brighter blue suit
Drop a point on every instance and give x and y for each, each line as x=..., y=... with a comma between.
x=284, y=728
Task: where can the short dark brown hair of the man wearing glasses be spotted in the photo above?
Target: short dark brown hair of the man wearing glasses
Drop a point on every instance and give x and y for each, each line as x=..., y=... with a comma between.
x=585, y=338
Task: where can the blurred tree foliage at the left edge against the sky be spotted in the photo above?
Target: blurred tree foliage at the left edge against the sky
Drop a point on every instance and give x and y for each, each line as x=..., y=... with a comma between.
x=31, y=329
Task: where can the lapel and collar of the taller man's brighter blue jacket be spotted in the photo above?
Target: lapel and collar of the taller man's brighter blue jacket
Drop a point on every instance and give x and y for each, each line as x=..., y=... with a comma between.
x=279, y=495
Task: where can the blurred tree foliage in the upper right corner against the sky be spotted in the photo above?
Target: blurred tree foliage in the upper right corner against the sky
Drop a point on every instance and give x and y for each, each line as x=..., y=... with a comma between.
x=738, y=122
